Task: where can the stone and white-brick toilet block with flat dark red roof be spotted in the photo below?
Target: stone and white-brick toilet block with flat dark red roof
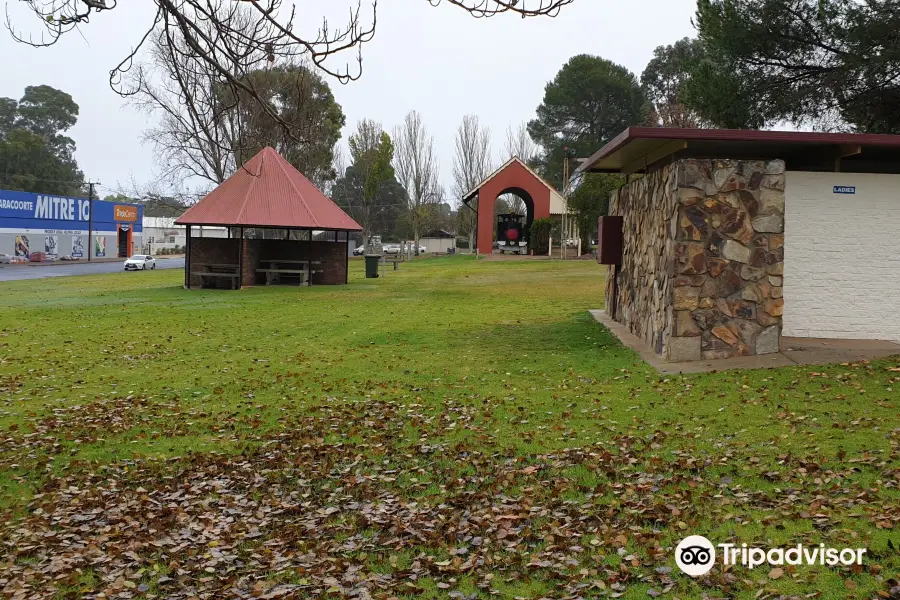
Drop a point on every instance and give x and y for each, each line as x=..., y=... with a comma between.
x=732, y=239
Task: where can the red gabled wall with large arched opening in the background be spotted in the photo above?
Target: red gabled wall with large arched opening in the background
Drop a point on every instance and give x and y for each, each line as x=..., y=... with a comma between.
x=513, y=177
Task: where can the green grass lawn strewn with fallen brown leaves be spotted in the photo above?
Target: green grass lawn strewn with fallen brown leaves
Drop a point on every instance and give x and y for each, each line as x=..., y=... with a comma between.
x=458, y=429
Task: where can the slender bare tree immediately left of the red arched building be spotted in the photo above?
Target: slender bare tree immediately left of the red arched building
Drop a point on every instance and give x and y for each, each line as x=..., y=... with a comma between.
x=471, y=164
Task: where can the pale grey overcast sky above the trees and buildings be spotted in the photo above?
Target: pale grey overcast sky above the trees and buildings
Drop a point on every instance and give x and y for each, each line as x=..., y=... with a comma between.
x=439, y=61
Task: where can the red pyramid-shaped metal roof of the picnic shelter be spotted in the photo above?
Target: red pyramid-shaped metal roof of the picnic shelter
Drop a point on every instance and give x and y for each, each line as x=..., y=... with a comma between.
x=268, y=192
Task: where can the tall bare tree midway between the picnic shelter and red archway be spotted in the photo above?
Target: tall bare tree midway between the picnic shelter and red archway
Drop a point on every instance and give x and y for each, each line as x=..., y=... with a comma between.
x=417, y=171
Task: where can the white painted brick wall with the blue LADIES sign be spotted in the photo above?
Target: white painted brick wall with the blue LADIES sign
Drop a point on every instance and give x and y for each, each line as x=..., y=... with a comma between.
x=842, y=256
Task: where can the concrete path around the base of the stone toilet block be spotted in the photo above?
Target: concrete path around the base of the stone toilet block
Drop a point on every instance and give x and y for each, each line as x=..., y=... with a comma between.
x=794, y=351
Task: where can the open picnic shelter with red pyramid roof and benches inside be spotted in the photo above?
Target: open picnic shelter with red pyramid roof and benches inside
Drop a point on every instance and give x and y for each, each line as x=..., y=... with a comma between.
x=281, y=230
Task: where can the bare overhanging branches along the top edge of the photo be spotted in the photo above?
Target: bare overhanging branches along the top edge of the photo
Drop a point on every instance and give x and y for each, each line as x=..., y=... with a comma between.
x=228, y=52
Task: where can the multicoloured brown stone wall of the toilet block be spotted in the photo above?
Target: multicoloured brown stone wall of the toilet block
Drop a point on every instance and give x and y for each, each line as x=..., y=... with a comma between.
x=704, y=258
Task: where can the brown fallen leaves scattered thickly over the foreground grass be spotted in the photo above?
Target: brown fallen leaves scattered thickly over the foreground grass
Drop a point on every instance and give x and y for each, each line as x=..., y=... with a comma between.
x=296, y=516
